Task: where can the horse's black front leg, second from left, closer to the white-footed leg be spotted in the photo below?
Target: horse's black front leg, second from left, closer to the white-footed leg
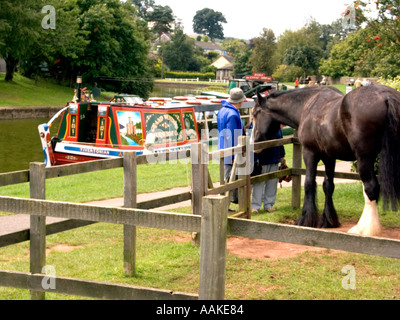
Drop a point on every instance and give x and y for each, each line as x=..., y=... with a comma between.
x=329, y=218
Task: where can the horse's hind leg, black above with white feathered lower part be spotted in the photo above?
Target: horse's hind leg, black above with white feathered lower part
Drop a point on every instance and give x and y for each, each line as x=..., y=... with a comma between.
x=369, y=224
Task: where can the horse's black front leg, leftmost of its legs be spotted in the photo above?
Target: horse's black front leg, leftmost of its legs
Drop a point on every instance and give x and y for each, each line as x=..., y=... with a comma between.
x=309, y=216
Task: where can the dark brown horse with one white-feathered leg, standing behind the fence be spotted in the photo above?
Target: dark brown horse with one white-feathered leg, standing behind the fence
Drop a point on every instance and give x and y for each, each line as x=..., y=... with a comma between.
x=357, y=126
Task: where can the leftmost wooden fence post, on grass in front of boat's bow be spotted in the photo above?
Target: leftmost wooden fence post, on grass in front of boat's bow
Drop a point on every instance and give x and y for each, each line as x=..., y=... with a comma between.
x=37, y=234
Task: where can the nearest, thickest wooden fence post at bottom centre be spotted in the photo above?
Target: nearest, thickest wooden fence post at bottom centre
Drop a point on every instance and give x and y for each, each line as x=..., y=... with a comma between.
x=214, y=224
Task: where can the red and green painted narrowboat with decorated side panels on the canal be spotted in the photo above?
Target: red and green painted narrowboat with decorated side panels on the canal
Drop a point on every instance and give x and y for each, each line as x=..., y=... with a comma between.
x=92, y=130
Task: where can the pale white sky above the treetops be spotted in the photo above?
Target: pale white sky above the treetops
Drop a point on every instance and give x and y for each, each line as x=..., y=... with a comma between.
x=246, y=19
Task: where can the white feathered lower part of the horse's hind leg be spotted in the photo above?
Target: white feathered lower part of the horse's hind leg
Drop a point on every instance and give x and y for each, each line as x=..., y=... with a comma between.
x=369, y=224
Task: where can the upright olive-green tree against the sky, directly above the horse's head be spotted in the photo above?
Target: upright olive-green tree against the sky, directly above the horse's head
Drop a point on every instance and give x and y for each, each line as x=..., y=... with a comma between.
x=263, y=57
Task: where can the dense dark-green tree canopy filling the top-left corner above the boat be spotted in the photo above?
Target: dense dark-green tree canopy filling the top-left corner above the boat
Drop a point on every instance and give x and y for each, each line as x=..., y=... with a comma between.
x=92, y=38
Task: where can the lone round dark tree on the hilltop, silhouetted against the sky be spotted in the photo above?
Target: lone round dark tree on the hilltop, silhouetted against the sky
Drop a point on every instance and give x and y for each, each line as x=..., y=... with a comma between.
x=209, y=22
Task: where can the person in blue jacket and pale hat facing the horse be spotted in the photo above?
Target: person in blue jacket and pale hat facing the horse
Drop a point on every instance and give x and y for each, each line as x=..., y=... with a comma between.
x=230, y=128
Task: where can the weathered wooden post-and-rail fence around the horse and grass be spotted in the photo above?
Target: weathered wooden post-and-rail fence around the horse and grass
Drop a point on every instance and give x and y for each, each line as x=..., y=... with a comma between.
x=210, y=219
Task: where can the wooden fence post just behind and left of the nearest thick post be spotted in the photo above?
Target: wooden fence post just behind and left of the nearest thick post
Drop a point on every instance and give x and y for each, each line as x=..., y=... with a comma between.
x=199, y=160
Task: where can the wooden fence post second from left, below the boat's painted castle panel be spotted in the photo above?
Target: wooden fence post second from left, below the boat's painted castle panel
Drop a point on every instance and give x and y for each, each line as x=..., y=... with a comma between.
x=130, y=201
